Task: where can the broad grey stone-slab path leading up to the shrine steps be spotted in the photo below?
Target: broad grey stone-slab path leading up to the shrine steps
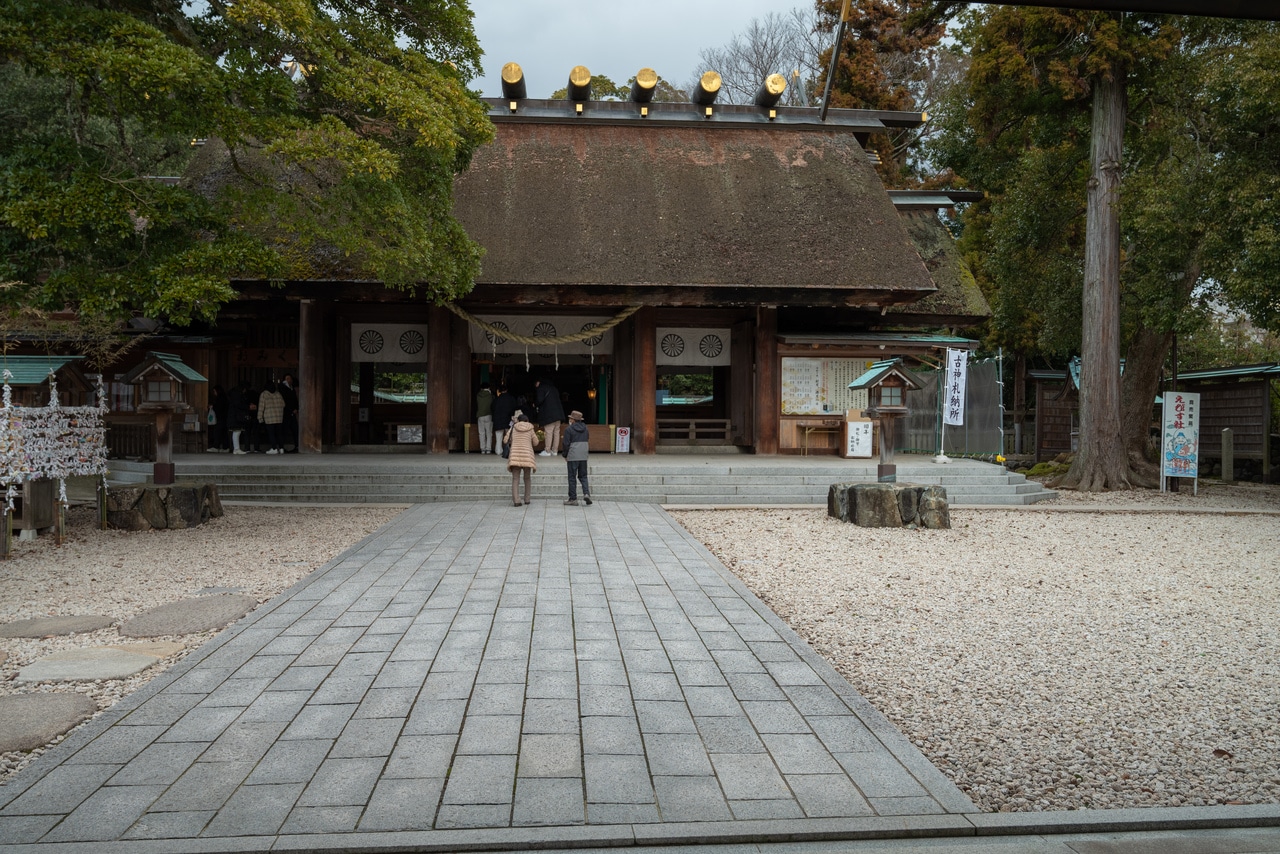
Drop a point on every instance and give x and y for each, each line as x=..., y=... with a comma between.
x=477, y=673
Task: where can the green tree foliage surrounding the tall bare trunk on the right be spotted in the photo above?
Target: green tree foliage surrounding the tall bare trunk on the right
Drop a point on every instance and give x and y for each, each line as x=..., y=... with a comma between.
x=1199, y=179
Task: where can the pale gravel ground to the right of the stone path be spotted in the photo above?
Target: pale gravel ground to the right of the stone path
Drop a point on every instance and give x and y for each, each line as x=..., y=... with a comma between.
x=1049, y=660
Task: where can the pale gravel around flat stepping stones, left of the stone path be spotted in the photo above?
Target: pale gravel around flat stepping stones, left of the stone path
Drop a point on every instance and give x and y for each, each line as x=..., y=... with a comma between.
x=259, y=552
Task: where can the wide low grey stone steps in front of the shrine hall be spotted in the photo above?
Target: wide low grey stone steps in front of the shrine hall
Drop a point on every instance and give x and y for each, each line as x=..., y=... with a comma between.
x=685, y=481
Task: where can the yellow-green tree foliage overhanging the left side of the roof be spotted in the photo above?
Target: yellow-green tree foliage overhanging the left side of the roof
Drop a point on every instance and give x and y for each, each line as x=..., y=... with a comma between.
x=335, y=131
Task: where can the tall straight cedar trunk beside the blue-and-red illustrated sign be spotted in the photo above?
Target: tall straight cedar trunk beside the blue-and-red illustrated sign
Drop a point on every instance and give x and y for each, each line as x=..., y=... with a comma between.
x=1101, y=462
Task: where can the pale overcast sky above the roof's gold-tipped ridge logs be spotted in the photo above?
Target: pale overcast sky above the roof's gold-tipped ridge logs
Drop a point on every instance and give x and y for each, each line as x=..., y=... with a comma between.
x=548, y=38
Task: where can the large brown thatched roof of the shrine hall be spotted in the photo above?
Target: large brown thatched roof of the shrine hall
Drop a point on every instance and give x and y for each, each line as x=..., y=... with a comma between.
x=758, y=214
